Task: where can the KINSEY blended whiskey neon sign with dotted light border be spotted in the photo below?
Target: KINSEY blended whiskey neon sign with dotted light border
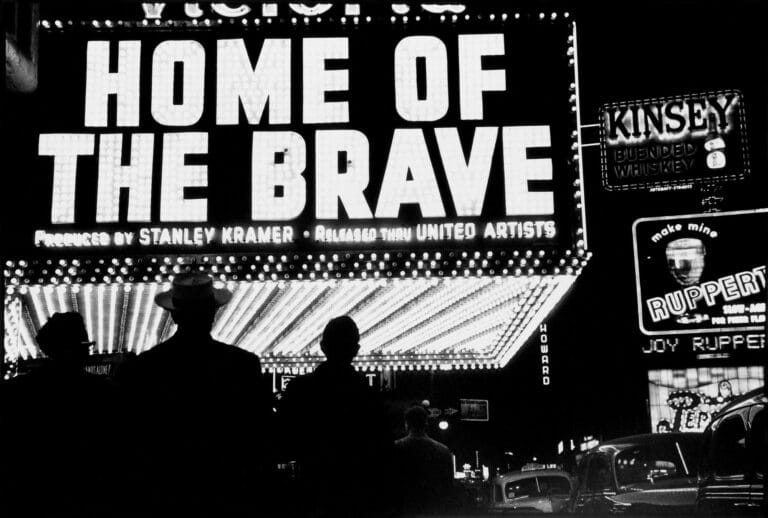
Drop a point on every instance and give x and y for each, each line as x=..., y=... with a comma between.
x=674, y=142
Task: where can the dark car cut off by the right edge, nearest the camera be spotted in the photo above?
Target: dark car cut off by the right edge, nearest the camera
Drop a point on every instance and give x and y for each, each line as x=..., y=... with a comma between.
x=731, y=475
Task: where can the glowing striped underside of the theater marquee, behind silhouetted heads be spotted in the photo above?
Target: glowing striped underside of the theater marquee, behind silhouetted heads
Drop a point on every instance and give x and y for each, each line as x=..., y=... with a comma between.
x=405, y=324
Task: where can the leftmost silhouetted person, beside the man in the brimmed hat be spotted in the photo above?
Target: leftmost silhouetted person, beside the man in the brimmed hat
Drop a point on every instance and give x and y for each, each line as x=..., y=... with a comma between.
x=55, y=422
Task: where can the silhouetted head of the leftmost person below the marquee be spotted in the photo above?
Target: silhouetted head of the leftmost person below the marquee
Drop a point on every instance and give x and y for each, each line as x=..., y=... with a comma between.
x=64, y=338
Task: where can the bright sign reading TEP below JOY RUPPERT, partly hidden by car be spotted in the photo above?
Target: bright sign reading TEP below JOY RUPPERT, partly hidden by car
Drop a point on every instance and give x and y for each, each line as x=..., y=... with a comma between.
x=684, y=400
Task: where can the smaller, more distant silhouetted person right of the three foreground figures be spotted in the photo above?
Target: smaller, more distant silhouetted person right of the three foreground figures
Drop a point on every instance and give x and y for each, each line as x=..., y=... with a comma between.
x=424, y=465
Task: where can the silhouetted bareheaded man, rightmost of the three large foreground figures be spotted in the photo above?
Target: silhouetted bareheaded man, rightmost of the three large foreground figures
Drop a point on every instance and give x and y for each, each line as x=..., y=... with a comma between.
x=336, y=428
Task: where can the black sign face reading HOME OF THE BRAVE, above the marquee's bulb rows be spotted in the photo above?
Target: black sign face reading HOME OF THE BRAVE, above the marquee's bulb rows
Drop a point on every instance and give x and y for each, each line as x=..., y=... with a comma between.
x=309, y=138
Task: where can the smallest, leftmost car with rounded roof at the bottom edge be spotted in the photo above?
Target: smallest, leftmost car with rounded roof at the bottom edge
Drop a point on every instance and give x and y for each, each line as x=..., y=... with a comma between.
x=541, y=490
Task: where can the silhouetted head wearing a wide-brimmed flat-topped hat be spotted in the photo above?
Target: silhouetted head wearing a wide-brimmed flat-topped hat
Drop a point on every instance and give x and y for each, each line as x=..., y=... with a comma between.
x=193, y=302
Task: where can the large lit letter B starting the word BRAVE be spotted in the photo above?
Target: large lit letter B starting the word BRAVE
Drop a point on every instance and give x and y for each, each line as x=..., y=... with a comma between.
x=279, y=189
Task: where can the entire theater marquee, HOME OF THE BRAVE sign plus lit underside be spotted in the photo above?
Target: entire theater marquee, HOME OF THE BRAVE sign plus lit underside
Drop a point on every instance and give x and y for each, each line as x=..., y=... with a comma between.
x=268, y=151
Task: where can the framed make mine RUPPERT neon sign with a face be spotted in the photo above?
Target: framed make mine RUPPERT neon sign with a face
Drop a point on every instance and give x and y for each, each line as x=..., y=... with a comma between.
x=701, y=273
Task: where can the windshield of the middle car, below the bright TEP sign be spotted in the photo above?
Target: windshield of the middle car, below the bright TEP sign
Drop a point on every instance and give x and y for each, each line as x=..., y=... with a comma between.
x=648, y=463
